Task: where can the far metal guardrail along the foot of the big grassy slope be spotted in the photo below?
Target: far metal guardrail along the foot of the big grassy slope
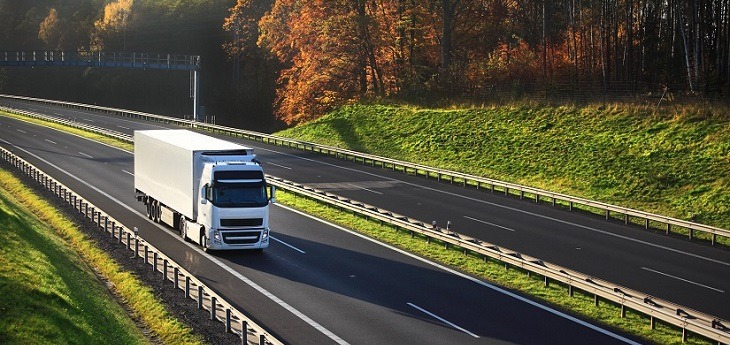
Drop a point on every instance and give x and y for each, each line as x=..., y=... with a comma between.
x=668, y=223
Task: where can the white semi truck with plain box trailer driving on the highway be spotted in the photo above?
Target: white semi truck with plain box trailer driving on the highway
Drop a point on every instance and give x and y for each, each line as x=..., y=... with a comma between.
x=211, y=190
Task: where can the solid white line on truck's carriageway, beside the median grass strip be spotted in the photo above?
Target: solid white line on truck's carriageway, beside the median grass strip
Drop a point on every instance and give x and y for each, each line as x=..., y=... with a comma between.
x=475, y=280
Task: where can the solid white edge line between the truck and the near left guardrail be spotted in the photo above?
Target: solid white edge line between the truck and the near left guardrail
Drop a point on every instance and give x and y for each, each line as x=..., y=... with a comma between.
x=197, y=249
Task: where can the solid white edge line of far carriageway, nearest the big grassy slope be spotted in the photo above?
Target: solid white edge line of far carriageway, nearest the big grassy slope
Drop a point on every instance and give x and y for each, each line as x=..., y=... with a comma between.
x=510, y=208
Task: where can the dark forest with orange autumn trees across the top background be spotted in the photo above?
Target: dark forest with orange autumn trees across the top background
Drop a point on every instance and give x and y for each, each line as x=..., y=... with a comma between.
x=270, y=63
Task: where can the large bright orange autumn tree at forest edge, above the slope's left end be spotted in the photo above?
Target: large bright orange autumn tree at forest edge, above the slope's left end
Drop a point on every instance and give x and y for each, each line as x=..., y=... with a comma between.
x=330, y=52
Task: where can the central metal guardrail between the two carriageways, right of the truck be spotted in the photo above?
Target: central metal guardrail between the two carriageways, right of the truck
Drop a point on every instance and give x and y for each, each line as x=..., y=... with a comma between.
x=687, y=319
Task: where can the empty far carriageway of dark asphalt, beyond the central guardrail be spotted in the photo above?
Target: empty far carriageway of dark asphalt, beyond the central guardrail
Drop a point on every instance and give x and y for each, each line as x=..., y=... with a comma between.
x=685, y=272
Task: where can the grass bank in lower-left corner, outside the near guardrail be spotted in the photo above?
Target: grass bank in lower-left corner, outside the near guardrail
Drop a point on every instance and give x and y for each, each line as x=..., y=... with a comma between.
x=48, y=291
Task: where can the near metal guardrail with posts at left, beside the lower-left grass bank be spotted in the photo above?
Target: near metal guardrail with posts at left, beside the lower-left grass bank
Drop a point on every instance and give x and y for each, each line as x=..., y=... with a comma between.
x=234, y=320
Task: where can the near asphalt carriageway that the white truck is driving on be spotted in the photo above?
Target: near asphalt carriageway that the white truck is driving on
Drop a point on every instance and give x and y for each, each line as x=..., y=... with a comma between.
x=359, y=291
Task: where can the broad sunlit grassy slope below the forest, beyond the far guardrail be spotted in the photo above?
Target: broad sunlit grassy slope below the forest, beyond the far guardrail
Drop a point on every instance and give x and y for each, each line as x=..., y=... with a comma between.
x=673, y=161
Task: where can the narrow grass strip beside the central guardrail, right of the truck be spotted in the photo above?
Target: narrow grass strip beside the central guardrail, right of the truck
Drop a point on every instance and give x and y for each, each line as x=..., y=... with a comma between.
x=555, y=294
